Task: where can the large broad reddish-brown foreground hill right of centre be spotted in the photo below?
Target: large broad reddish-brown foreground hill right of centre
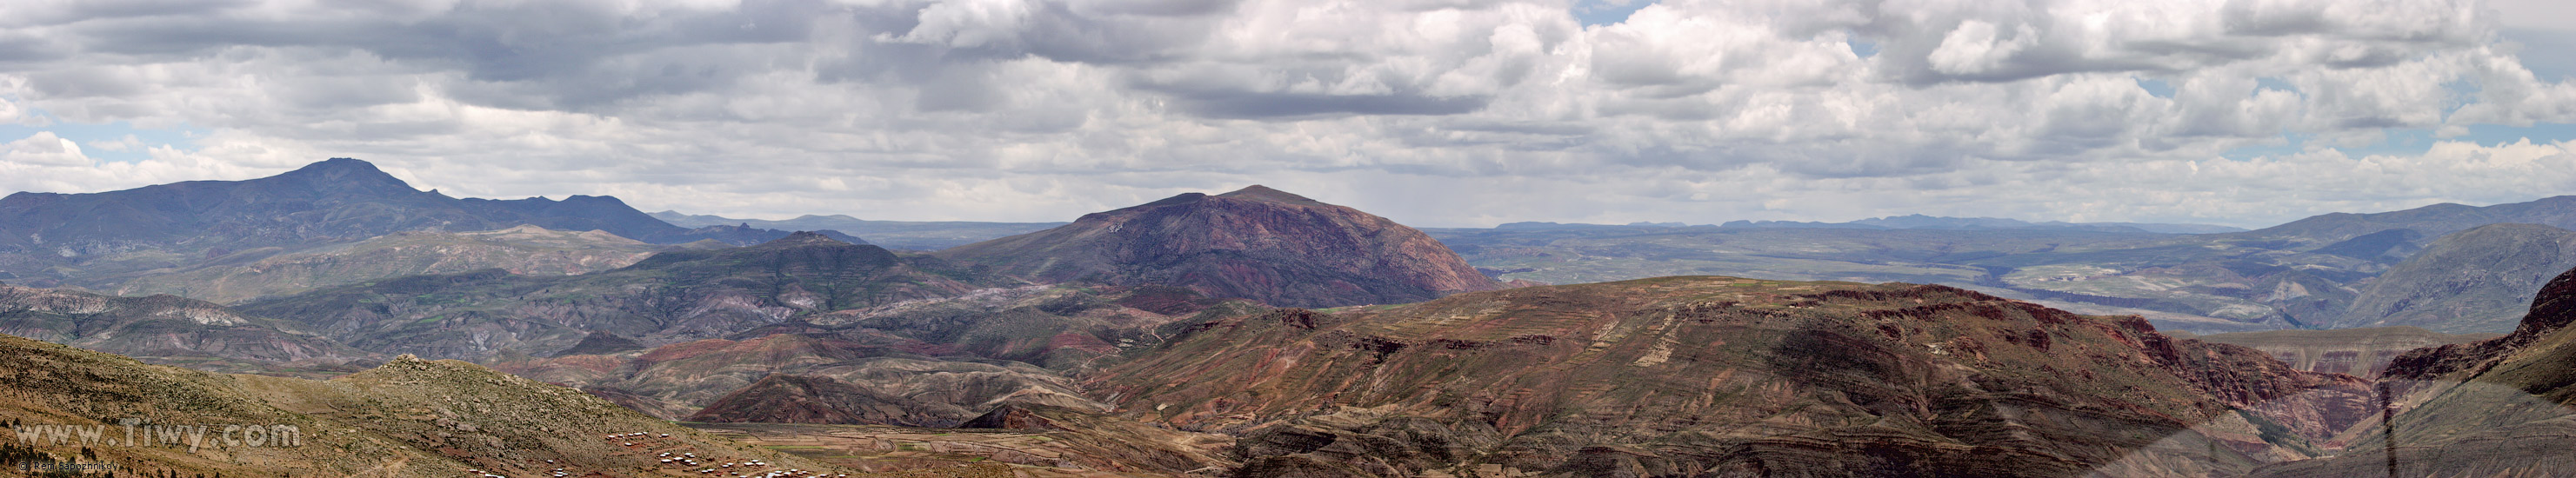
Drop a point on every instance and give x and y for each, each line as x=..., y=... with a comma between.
x=1691, y=376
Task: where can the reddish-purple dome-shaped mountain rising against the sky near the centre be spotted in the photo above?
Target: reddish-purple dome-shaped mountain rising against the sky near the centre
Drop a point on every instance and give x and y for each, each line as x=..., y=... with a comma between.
x=1253, y=243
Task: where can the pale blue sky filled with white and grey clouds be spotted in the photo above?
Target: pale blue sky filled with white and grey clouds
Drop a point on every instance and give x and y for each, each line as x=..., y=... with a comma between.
x=1426, y=112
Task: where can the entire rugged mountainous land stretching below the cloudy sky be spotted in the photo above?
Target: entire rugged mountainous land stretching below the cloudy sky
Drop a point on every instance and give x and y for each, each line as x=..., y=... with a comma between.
x=1264, y=333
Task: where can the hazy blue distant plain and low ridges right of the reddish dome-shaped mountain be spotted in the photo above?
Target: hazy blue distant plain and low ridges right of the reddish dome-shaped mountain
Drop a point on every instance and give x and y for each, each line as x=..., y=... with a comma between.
x=2297, y=276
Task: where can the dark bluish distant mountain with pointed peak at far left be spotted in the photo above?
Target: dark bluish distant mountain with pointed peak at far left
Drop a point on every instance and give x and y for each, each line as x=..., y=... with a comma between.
x=89, y=238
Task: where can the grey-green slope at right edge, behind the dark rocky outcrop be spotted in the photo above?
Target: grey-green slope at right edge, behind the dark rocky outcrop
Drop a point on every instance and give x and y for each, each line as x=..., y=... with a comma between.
x=2469, y=281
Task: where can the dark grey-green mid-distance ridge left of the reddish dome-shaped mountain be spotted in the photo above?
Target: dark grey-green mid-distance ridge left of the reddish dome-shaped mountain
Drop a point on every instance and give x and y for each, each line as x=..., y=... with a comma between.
x=674, y=297
